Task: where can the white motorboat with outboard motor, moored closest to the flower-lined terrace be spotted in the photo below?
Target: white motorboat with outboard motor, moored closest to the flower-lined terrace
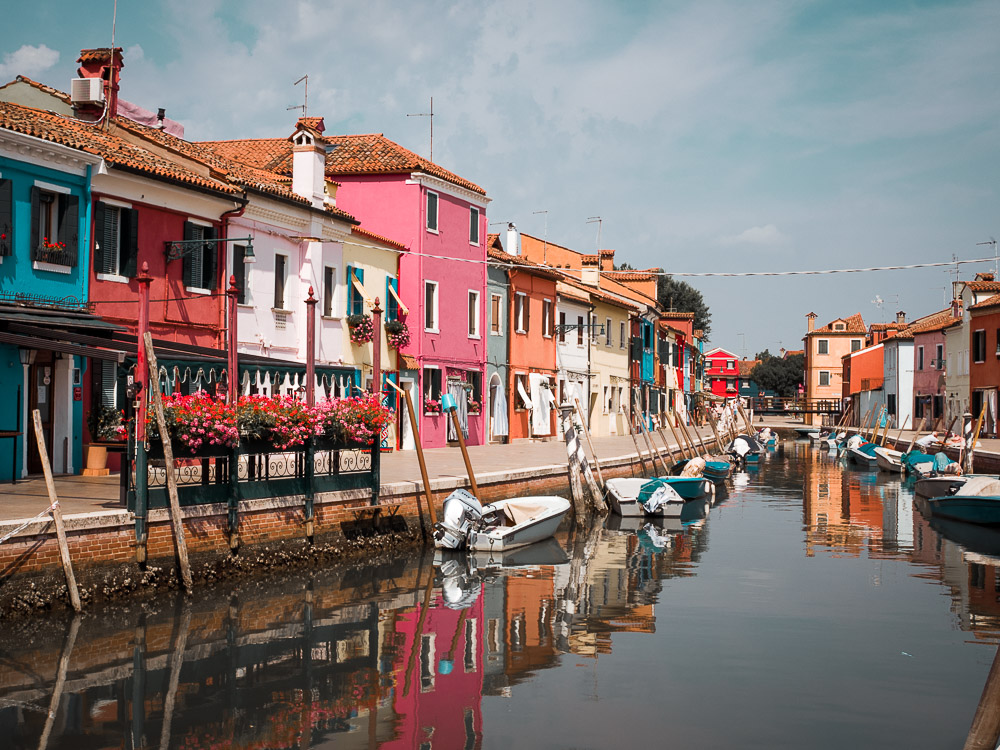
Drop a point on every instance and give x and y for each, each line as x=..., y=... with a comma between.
x=501, y=525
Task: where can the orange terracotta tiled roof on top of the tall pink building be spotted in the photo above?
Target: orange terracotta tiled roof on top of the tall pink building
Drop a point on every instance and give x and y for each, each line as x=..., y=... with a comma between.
x=370, y=153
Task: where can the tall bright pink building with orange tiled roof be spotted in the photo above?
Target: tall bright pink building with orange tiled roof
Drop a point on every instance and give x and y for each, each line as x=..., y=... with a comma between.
x=441, y=218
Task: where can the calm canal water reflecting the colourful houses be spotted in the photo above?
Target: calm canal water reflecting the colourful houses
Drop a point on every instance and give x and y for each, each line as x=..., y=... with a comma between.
x=812, y=607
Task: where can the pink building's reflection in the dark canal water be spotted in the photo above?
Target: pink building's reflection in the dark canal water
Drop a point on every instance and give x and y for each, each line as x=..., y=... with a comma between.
x=438, y=691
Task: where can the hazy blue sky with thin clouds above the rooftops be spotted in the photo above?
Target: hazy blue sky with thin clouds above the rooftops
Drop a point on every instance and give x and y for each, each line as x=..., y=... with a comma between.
x=707, y=136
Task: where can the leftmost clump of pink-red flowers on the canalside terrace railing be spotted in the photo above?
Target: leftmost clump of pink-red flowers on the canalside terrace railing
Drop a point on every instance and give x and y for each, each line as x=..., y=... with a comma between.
x=196, y=421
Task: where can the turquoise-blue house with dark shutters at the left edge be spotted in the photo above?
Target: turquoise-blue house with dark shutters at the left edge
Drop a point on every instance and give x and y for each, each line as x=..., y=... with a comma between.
x=44, y=318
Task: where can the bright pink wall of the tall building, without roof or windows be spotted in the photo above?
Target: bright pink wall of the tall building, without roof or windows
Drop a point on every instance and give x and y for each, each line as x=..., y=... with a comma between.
x=388, y=205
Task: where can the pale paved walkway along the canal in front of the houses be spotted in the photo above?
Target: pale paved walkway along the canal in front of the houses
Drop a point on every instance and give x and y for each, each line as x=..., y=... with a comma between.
x=79, y=494
